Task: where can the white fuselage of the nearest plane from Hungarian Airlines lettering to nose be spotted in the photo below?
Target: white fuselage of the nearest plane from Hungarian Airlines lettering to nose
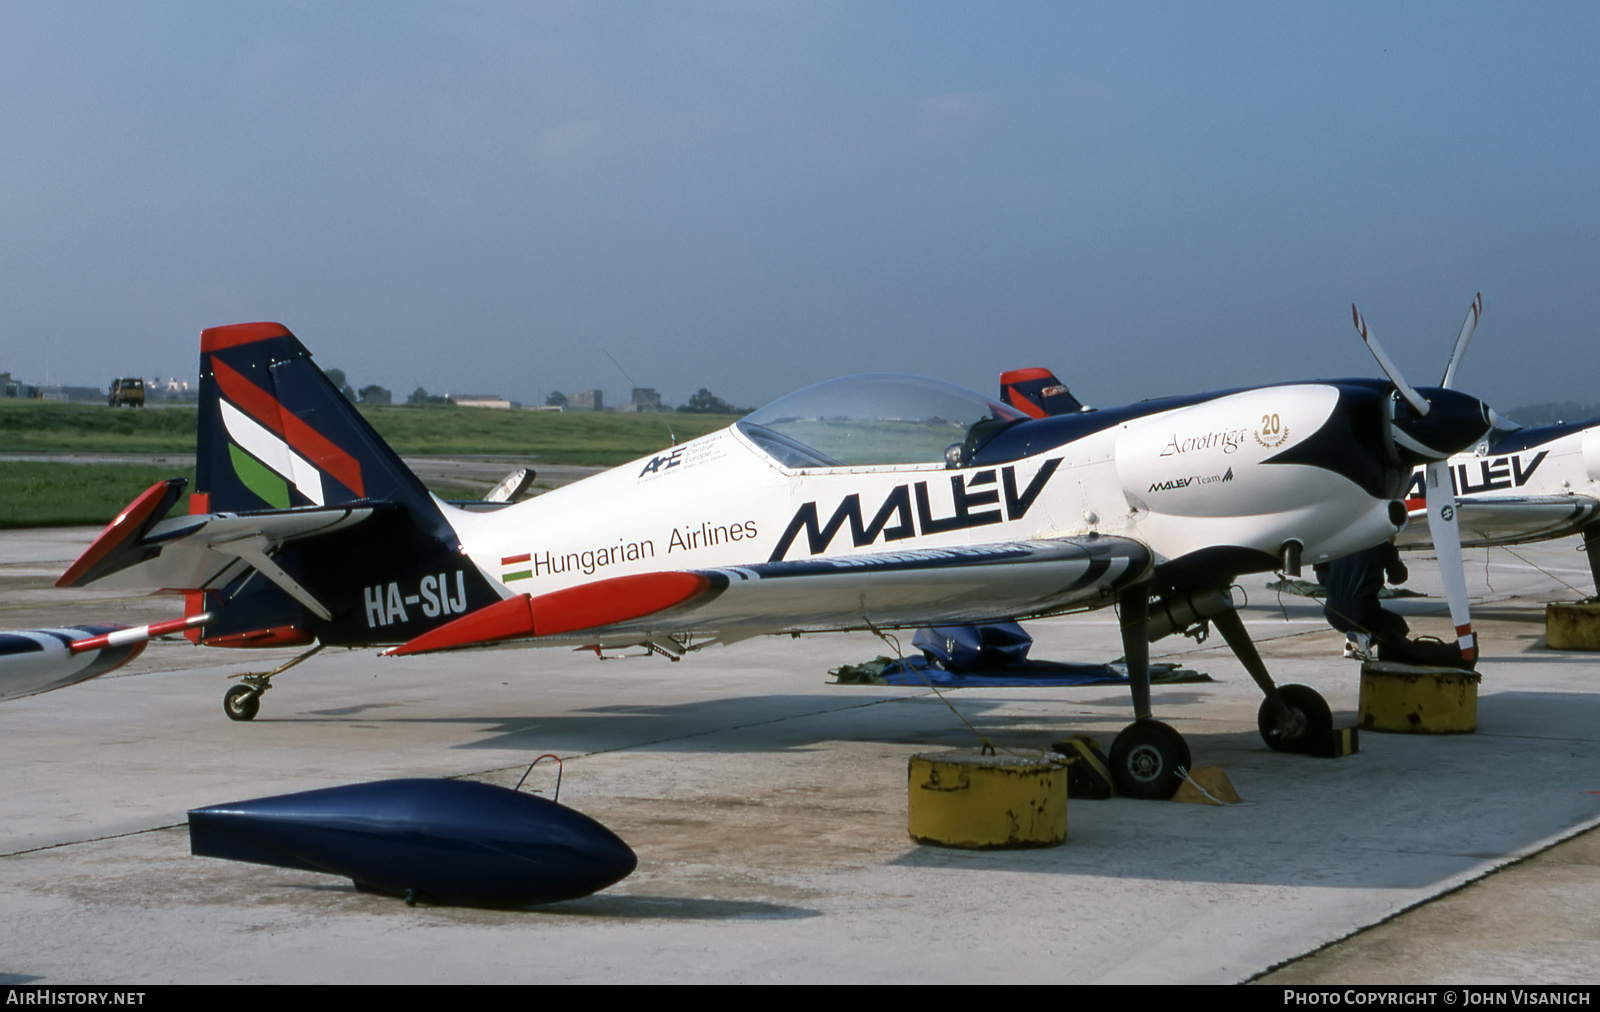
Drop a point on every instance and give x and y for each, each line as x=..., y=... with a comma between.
x=1223, y=480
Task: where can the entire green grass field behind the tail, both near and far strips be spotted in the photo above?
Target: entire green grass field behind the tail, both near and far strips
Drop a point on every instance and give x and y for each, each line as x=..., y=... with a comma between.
x=63, y=494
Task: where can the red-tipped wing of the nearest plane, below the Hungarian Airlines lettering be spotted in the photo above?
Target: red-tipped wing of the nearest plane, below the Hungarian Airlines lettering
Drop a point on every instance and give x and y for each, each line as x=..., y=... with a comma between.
x=910, y=588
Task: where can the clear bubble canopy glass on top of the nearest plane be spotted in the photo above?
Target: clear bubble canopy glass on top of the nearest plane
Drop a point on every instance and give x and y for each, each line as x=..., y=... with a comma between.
x=876, y=419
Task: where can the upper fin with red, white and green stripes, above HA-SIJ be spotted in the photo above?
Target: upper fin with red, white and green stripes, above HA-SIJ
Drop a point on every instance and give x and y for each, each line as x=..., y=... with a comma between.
x=276, y=433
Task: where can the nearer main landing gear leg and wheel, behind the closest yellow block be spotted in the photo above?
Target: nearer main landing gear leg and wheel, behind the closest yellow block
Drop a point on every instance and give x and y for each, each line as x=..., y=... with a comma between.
x=1146, y=757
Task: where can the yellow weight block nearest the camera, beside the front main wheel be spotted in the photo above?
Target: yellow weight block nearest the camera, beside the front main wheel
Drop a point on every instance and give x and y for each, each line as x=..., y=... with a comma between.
x=970, y=800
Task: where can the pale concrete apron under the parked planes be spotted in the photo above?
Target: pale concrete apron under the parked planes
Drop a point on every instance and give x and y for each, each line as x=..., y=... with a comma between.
x=767, y=808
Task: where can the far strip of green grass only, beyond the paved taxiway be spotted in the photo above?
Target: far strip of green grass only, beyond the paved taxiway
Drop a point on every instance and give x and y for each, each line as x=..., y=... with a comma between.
x=554, y=438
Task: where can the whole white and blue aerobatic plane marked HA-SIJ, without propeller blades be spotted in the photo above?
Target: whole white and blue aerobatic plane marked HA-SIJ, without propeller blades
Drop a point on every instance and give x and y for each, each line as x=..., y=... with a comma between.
x=863, y=504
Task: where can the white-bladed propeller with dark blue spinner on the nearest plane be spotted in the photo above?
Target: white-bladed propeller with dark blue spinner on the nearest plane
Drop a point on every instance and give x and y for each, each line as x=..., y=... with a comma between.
x=1434, y=443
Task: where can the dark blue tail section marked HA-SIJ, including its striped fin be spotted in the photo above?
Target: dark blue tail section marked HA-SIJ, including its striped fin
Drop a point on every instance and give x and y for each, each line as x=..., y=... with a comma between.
x=335, y=537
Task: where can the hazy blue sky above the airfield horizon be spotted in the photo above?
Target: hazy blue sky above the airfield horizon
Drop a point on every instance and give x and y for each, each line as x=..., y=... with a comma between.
x=479, y=198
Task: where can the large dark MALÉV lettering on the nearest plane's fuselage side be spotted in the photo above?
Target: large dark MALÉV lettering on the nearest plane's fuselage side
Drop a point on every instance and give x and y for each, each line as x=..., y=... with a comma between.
x=977, y=504
